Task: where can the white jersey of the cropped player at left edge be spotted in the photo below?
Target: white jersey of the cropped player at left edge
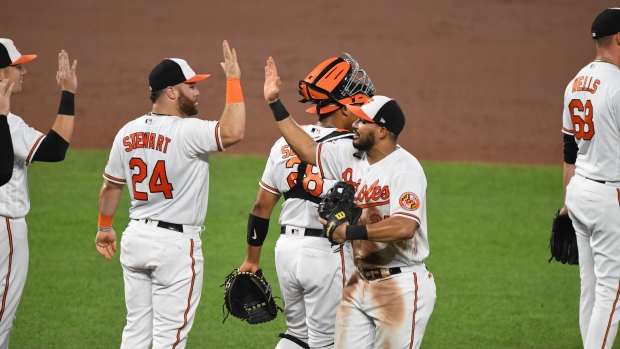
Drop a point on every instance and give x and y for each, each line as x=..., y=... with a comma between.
x=14, y=196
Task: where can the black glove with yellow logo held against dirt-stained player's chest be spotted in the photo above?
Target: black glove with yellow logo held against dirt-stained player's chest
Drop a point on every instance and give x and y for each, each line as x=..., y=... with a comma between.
x=337, y=207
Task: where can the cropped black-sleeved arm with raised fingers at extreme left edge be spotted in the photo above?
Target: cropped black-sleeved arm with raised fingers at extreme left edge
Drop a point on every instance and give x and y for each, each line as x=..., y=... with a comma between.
x=6, y=143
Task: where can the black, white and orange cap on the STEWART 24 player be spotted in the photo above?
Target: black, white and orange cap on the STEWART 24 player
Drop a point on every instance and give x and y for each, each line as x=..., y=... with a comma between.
x=171, y=72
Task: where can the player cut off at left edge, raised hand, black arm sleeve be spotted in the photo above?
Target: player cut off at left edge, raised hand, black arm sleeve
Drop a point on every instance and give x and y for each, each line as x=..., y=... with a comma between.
x=29, y=145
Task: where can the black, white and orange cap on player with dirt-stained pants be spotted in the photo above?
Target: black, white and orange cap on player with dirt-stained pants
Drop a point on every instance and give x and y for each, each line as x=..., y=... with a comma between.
x=381, y=110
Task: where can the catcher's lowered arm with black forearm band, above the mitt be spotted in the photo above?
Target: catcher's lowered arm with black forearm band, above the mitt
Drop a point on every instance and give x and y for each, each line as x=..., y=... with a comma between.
x=258, y=223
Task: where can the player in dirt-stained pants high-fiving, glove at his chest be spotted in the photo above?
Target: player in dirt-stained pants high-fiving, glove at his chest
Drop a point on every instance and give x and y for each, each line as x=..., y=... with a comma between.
x=392, y=292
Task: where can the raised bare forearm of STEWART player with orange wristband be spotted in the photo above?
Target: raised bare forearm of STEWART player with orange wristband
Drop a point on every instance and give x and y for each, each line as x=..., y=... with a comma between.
x=232, y=123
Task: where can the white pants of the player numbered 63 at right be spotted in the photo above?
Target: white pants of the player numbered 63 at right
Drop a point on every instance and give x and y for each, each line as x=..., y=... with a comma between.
x=595, y=211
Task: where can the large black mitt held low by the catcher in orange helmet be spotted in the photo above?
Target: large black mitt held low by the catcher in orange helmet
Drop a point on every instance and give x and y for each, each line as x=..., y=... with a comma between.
x=248, y=297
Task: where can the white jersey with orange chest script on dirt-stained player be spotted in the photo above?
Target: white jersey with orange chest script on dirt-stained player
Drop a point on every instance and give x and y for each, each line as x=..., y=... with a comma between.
x=394, y=186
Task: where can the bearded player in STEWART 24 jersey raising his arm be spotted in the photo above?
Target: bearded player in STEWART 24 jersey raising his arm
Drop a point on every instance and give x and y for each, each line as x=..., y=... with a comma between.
x=164, y=157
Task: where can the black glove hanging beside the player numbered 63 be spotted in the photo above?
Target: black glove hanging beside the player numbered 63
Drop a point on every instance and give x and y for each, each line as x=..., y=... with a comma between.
x=563, y=242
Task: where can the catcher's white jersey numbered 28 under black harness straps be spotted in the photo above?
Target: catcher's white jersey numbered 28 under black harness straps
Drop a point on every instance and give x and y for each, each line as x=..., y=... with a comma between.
x=280, y=175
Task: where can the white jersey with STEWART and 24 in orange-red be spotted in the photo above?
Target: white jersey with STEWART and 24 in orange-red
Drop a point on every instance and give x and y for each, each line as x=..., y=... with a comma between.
x=174, y=186
